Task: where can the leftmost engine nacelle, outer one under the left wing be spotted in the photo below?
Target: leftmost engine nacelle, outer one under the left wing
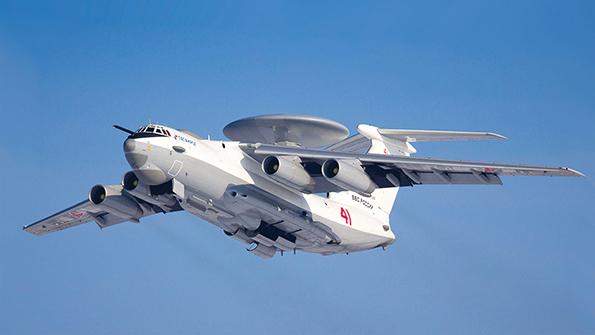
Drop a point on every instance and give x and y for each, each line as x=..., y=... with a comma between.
x=112, y=200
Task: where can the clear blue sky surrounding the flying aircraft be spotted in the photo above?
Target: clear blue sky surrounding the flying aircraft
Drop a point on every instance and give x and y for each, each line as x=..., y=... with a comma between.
x=516, y=259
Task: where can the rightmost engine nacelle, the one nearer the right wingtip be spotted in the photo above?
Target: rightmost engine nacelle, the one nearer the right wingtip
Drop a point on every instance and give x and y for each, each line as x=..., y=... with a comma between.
x=348, y=175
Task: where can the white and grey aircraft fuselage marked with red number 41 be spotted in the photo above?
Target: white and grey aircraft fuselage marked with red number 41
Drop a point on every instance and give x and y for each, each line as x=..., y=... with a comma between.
x=218, y=182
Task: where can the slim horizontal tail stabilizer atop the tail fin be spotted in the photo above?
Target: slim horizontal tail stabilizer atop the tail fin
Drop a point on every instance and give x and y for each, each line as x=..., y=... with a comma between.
x=407, y=135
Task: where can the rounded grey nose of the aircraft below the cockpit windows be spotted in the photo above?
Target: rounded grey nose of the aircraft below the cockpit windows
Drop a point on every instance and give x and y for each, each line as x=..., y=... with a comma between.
x=137, y=155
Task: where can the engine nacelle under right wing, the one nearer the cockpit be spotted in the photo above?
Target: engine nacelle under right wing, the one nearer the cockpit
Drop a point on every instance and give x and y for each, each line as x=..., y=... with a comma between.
x=288, y=172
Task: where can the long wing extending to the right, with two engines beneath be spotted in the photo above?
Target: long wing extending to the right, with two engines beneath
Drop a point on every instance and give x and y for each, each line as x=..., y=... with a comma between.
x=390, y=171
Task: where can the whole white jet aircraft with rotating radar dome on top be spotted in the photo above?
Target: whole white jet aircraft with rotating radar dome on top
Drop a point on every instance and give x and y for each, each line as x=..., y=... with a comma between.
x=283, y=182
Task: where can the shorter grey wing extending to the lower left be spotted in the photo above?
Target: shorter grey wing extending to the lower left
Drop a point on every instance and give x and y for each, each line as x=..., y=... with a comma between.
x=86, y=211
